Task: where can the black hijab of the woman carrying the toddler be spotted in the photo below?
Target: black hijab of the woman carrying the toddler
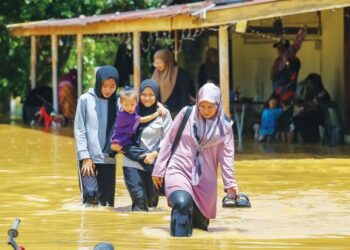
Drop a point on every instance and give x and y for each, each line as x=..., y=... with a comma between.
x=143, y=110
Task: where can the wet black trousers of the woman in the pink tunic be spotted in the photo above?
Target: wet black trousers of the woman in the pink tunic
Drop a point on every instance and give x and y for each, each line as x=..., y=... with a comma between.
x=185, y=215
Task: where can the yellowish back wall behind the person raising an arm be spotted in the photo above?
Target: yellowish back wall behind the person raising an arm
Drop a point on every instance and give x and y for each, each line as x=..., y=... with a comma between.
x=252, y=61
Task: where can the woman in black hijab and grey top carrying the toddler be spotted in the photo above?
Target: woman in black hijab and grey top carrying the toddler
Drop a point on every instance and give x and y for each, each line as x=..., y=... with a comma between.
x=137, y=179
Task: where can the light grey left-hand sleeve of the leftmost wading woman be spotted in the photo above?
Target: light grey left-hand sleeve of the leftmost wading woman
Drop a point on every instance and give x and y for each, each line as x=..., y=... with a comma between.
x=80, y=132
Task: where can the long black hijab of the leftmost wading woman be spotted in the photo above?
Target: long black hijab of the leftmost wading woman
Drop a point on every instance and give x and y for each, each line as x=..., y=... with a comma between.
x=104, y=73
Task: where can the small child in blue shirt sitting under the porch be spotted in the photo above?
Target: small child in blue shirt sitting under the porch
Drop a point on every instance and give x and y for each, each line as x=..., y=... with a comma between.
x=269, y=120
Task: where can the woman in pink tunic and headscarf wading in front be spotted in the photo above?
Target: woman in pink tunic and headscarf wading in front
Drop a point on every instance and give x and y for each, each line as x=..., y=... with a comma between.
x=191, y=175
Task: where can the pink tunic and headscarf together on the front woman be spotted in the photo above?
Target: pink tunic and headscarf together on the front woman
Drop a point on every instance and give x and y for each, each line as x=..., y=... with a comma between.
x=203, y=145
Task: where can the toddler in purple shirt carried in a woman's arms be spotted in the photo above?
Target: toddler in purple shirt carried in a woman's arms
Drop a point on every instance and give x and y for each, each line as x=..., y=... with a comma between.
x=126, y=125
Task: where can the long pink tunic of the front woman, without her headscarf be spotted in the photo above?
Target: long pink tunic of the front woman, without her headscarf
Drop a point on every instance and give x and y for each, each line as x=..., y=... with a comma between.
x=179, y=171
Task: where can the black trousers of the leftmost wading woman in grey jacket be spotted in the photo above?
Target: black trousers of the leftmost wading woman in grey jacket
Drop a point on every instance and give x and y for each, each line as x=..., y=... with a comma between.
x=99, y=189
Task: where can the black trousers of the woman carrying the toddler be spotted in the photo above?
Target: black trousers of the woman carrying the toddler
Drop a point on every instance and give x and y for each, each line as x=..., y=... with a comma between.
x=141, y=189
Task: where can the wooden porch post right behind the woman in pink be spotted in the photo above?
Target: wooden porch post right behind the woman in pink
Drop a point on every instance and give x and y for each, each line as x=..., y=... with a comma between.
x=224, y=68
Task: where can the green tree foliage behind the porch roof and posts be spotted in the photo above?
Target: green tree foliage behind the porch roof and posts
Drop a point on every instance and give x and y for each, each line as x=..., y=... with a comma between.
x=15, y=52
